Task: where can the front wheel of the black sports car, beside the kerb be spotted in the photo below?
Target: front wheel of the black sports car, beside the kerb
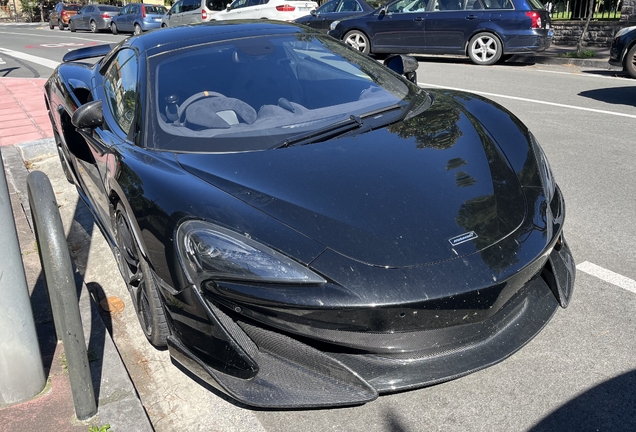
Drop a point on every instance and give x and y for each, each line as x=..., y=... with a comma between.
x=140, y=282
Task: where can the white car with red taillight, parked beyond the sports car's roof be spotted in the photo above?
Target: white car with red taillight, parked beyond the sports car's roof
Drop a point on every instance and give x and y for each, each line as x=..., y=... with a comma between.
x=283, y=10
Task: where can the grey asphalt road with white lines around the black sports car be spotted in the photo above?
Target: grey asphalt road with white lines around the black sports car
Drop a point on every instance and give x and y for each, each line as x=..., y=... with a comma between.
x=579, y=374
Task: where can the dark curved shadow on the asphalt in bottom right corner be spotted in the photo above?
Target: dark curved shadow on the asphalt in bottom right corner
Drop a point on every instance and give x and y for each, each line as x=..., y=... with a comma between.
x=610, y=406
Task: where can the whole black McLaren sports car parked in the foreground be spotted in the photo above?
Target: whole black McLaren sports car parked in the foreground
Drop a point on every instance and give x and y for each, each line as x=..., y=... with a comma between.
x=302, y=226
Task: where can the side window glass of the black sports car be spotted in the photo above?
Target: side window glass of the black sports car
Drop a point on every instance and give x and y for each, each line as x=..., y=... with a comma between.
x=120, y=86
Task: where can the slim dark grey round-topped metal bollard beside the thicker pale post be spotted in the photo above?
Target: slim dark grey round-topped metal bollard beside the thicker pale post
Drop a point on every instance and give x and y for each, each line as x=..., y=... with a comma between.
x=58, y=272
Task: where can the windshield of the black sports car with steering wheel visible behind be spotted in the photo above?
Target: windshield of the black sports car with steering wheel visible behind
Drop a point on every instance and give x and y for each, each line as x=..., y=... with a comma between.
x=256, y=93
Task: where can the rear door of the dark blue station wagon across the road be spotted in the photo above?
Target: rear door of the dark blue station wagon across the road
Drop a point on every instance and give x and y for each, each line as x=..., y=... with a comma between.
x=451, y=23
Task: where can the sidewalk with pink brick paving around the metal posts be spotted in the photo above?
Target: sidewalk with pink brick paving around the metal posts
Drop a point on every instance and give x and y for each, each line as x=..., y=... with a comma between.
x=26, y=137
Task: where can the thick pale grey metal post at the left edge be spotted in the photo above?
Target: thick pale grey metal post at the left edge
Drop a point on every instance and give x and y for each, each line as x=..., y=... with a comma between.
x=21, y=370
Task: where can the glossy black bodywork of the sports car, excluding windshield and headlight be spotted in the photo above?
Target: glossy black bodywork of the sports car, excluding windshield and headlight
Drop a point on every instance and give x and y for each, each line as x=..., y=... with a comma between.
x=371, y=213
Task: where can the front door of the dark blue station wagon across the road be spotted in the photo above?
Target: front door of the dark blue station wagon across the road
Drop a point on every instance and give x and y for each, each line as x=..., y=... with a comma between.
x=400, y=27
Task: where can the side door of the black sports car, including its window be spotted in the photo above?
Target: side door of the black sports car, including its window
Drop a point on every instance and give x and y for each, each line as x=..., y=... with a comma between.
x=119, y=92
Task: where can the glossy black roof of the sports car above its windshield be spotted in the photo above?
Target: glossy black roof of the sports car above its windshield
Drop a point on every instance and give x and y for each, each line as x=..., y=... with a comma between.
x=170, y=38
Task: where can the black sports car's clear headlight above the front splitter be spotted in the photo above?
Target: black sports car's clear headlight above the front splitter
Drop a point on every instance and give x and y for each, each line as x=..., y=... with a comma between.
x=207, y=251
